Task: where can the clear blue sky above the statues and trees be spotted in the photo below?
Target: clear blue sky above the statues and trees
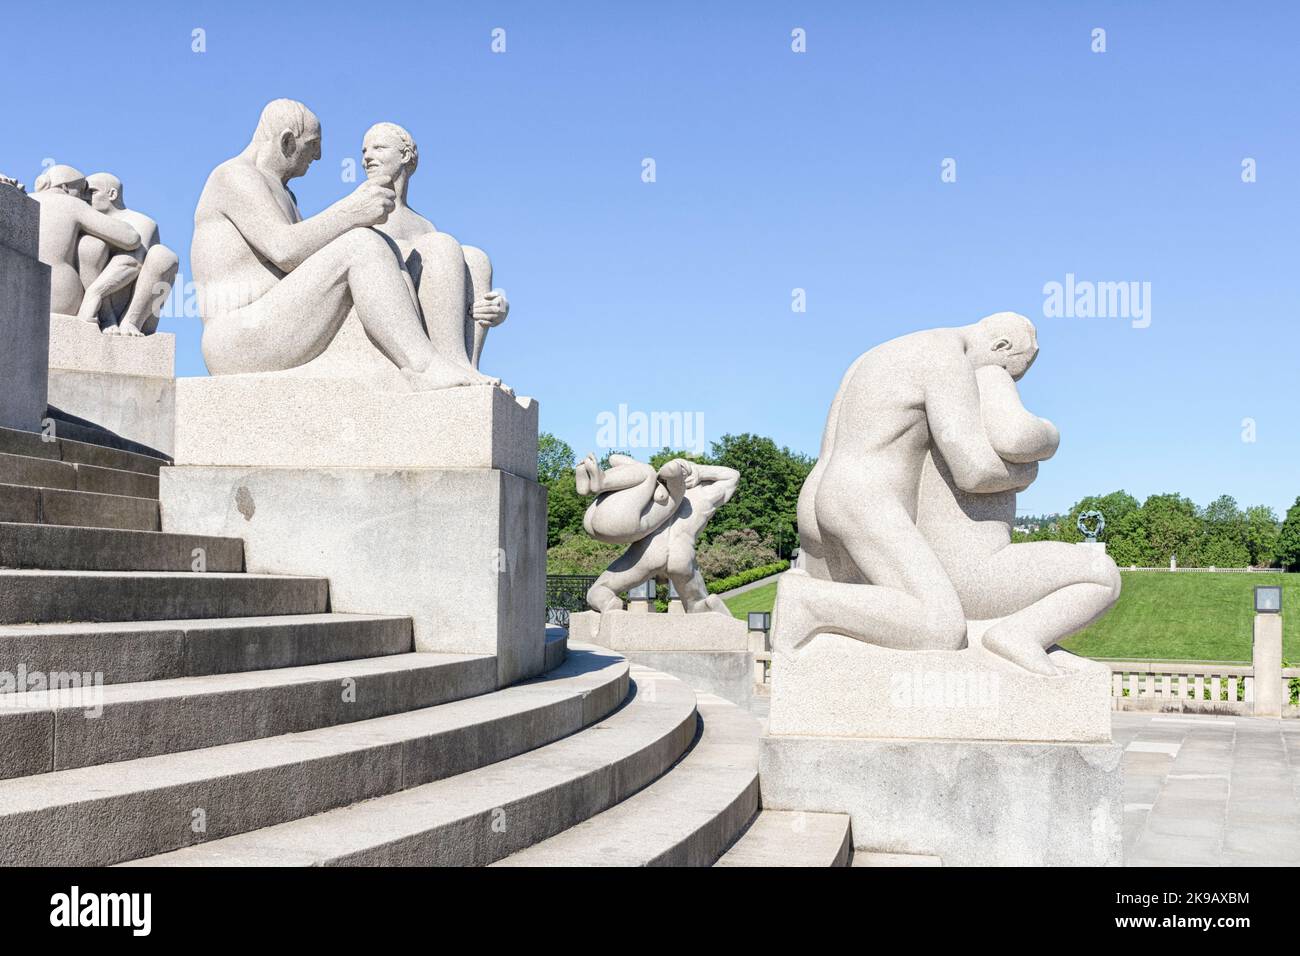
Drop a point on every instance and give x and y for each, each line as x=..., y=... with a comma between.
x=775, y=171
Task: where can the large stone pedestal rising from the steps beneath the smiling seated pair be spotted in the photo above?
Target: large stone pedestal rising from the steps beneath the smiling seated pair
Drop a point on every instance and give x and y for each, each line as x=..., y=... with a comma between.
x=410, y=504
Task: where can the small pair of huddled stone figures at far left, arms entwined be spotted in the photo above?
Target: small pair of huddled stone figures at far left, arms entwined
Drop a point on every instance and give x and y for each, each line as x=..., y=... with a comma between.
x=107, y=263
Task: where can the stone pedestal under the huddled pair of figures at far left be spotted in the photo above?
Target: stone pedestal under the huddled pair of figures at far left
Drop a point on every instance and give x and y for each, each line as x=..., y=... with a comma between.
x=124, y=384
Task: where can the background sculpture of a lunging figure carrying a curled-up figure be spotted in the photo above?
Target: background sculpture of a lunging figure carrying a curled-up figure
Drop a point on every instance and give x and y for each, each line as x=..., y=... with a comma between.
x=661, y=514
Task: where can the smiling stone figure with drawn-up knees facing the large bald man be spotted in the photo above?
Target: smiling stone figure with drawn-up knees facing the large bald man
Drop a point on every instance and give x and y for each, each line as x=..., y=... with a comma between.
x=453, y=282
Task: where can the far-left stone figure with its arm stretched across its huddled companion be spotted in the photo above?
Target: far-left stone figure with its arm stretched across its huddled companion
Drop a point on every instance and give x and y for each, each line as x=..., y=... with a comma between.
x=67, y=222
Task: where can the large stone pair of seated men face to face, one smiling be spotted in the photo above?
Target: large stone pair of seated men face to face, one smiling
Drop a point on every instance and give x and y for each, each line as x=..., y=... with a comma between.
x=275, y=289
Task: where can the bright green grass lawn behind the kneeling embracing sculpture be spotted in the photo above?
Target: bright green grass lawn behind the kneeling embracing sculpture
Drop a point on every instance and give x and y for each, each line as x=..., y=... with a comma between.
x=1175, y=617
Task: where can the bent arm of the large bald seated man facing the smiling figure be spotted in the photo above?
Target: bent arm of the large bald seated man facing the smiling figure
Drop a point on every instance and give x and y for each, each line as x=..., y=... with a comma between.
x=248, y=202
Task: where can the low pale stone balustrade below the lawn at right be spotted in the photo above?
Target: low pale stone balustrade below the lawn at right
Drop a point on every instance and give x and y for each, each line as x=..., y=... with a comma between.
x=1186, y=687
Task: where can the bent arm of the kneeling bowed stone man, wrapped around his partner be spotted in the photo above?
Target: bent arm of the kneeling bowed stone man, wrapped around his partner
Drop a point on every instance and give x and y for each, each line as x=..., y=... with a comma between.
x=957, y=430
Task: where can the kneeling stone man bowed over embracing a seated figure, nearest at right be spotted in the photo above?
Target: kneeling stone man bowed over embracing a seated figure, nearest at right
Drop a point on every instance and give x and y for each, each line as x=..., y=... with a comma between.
x=905, y=521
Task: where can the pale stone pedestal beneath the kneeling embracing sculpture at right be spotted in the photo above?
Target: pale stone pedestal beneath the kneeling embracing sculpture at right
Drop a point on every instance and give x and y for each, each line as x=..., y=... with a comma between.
x=959, y=755
